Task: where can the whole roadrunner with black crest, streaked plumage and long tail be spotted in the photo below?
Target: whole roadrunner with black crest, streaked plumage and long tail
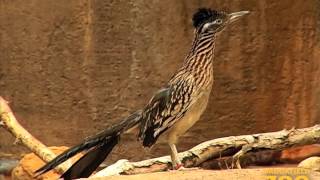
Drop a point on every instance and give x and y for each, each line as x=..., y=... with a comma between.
x=170, y=112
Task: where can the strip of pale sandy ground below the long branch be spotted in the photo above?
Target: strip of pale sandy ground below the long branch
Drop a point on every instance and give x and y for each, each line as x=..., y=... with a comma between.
x=230, y=174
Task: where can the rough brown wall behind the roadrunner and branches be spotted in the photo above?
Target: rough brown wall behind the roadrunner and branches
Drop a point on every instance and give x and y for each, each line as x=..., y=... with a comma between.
x=72, y=68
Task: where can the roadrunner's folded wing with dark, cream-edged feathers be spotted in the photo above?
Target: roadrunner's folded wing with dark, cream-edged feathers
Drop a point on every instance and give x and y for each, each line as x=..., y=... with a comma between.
x=165, y=108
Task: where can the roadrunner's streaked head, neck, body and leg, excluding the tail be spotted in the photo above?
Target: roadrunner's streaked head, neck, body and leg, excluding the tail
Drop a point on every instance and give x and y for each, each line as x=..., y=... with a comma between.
x=177, y=107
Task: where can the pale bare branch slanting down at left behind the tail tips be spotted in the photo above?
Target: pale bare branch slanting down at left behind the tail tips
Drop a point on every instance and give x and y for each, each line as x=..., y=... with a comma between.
x=9, y=122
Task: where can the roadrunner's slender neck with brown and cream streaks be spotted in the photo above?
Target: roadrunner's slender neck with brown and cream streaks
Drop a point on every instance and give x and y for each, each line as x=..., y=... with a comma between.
x=201, y=53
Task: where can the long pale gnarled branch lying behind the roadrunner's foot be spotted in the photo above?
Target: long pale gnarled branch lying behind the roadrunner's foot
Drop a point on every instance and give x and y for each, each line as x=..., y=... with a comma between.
x=233, y=145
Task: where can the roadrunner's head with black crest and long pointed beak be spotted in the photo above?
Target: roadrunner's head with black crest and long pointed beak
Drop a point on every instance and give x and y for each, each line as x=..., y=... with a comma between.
x=208, y=20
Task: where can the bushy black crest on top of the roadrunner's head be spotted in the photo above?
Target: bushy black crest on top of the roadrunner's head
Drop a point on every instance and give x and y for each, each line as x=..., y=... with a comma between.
x=204, y=15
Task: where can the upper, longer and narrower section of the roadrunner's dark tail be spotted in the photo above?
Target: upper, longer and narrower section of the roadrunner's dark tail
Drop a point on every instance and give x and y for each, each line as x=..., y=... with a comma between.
x=100, y=141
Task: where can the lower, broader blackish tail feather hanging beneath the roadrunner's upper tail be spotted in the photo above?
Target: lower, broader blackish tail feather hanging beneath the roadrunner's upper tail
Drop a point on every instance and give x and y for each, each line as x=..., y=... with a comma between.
x=88, y=163
